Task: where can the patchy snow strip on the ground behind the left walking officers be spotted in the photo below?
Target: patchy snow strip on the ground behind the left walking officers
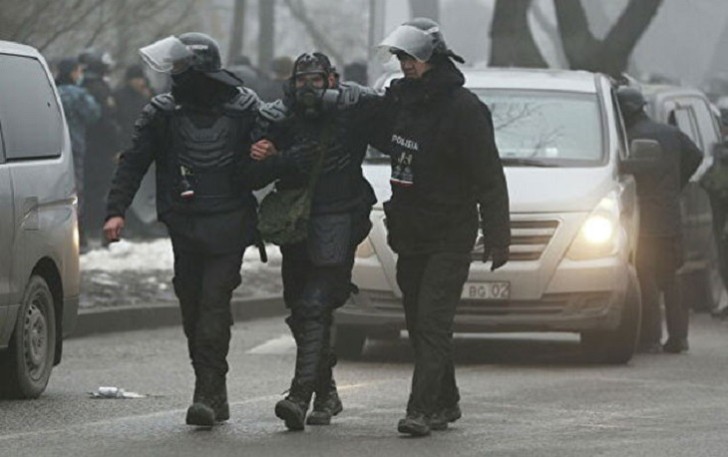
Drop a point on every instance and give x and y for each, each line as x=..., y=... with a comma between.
x=139, y=273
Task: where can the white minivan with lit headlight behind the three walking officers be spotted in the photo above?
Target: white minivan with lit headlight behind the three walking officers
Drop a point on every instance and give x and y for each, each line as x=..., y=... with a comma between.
x=574, y=223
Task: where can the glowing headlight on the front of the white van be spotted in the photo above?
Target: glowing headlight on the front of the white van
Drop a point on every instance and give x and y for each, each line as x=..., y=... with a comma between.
x=599, y=234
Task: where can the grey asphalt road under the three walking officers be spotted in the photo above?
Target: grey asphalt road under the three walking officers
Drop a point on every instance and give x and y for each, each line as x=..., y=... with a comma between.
x=522, y=396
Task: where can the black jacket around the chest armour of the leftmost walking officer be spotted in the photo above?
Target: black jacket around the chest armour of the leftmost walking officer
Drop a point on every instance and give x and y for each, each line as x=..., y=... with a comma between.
x=225, y=226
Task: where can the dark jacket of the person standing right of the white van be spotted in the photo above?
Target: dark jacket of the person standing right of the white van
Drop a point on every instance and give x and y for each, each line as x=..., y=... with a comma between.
x=658, y=189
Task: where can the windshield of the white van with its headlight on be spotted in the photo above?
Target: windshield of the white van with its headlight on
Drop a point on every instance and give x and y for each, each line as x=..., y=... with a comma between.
x=539, y=128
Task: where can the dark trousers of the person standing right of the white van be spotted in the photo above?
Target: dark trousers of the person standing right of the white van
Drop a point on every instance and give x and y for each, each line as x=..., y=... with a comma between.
x=657, y=262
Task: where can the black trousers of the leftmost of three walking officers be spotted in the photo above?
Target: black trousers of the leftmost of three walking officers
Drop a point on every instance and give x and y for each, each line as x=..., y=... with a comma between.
x=204, y=284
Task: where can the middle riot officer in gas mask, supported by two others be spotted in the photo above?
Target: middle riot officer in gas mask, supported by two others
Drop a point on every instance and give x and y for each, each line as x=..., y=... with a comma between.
x=319, y=116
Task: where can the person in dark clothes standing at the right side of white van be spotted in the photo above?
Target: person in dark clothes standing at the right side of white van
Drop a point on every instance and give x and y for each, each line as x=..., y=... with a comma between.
x=660, y=252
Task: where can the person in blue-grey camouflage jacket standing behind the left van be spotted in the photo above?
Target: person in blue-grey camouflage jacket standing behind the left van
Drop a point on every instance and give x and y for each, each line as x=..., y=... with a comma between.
x=81, y=111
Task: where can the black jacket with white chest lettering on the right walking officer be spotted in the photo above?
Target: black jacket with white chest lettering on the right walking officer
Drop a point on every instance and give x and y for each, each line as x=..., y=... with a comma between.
x=445, y=166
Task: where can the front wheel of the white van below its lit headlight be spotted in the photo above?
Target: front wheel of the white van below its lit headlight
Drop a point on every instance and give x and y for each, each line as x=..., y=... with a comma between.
x=617, y=346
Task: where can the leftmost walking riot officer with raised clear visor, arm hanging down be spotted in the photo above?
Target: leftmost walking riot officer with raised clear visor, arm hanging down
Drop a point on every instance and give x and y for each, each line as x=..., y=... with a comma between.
x=198, y=136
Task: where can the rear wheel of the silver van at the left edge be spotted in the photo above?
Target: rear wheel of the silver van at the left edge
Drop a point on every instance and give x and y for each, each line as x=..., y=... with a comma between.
x=26, y=365
